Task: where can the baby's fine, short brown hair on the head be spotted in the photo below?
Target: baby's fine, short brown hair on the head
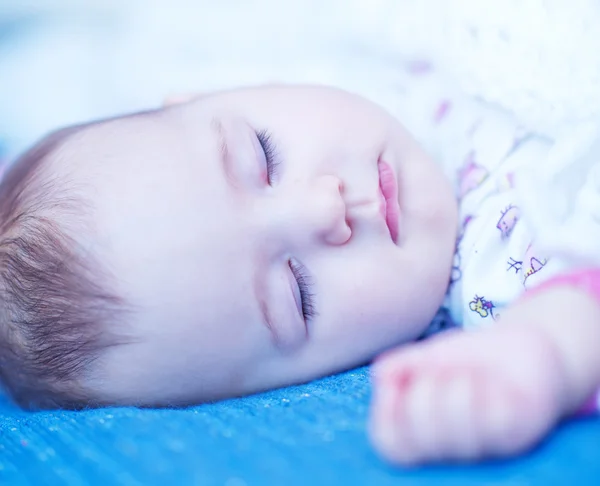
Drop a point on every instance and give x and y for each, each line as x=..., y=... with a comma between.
x=56, y=313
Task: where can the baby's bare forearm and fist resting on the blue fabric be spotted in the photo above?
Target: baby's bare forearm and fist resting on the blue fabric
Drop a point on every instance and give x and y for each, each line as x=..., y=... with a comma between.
x=489, y=393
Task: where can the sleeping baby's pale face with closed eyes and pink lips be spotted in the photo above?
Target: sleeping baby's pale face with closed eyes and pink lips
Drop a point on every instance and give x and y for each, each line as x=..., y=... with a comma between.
x=247, y=229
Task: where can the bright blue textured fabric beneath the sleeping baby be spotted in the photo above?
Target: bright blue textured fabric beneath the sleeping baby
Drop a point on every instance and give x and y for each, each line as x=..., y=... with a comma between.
x=312, y=434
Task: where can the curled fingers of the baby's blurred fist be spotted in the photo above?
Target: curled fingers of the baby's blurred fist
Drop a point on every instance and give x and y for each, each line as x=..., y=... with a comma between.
x=429, y=413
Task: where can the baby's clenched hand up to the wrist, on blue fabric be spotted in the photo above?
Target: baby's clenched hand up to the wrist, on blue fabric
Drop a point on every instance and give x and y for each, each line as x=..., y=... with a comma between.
x=464, y=396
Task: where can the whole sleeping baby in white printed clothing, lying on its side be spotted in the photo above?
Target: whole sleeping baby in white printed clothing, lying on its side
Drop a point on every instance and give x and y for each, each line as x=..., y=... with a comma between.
x=254, y=238
